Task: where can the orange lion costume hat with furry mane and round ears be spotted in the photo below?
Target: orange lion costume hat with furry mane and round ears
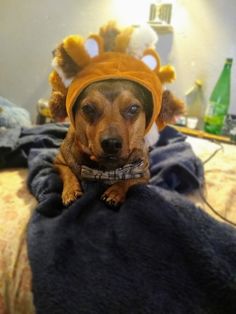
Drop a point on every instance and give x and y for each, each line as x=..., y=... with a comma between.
x=112, y=54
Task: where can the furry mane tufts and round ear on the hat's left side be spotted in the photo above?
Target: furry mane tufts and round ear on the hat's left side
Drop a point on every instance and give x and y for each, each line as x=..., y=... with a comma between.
x=68, y=59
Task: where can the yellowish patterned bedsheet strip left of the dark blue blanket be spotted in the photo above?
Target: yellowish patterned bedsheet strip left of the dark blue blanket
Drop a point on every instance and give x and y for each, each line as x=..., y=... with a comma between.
x=15, y=273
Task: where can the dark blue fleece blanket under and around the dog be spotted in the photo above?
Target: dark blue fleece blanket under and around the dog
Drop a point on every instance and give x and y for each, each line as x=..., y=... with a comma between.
x=158, y=253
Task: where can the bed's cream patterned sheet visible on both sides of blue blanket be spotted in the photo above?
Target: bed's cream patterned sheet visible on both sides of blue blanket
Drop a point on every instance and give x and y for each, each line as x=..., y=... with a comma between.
x=15, y=274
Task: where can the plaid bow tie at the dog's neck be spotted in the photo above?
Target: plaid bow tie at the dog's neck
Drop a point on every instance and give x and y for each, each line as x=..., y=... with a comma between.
x=137, y=169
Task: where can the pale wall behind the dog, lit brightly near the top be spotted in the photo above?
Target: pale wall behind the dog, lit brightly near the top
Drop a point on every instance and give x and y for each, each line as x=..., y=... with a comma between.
x=30, y=30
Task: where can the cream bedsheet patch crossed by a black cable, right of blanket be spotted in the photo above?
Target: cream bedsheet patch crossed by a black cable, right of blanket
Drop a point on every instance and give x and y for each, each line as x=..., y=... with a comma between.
x=220, y=177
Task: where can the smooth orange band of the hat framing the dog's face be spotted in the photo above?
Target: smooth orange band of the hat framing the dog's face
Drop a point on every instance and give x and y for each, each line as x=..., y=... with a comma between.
x=115, y=65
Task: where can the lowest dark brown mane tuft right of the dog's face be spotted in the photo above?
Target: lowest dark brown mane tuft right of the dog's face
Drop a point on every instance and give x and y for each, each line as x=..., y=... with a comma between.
x=170, y=108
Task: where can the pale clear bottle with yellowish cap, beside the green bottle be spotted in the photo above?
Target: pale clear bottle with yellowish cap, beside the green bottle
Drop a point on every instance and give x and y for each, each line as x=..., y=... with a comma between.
x=195, y=105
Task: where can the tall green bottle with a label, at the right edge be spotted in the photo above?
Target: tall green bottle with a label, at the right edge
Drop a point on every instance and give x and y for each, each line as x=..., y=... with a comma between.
x=219, y=101
